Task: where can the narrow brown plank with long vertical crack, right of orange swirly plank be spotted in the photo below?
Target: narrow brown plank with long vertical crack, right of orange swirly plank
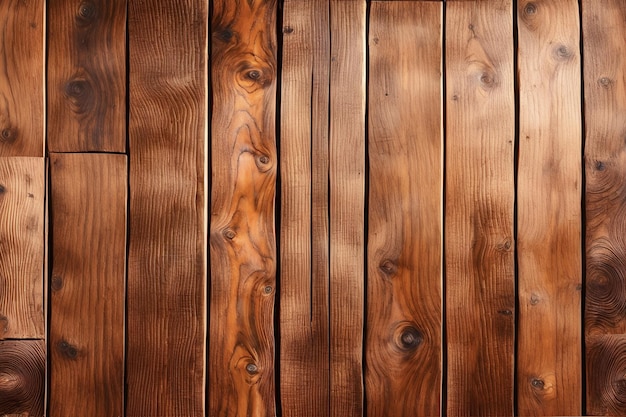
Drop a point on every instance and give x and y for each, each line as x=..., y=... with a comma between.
x=304, y=353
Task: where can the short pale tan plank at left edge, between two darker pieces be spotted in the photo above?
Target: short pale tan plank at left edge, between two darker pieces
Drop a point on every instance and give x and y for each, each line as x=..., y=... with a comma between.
x=22, y=247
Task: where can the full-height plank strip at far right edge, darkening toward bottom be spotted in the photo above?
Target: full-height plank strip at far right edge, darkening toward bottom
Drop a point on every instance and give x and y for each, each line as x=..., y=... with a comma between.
x=604, y=34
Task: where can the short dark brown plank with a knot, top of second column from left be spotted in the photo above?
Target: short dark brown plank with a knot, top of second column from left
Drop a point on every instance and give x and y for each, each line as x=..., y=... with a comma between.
x=86, y=75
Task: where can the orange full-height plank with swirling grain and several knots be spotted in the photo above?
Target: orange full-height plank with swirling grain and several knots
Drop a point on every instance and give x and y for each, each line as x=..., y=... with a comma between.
x=242, y=240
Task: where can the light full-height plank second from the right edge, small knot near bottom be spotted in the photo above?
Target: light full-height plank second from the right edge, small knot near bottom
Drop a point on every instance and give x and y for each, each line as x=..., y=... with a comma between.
x=549, y=209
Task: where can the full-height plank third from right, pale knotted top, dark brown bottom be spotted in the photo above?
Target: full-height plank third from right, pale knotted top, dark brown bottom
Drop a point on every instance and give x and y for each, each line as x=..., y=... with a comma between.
x=480, y=191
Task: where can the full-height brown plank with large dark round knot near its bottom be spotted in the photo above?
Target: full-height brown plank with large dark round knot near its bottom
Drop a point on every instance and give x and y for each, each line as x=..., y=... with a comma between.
x=403, y=345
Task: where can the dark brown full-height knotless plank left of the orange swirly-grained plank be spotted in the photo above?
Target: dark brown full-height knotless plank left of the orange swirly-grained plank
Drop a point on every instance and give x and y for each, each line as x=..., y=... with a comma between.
x=166, y=311
